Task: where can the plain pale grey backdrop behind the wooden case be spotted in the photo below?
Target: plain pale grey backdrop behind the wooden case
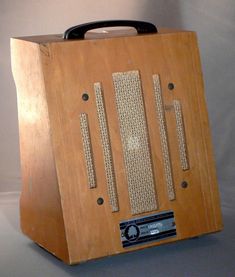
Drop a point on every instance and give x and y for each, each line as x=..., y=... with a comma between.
x=214, y=21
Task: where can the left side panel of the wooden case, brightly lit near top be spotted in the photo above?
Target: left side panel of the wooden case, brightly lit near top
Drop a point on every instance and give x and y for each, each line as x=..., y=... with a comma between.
x=40, y=204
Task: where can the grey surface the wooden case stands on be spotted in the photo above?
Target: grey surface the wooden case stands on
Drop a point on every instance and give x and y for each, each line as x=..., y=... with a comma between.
x=211, y=255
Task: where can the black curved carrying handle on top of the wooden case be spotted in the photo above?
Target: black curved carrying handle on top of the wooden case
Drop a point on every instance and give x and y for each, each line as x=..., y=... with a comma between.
x=79, y=31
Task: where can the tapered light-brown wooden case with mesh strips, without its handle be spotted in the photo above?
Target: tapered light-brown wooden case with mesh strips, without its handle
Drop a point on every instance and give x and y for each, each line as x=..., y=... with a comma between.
x=112, y=130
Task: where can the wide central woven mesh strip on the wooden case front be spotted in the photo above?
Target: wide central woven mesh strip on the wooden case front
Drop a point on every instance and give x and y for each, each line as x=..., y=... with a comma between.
x=134, y=136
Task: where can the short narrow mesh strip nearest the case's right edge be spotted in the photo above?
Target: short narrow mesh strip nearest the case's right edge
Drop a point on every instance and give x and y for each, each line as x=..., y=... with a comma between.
x=181, y=135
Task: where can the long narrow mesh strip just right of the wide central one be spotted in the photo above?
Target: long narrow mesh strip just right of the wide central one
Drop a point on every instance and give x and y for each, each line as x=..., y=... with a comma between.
x=163, y=136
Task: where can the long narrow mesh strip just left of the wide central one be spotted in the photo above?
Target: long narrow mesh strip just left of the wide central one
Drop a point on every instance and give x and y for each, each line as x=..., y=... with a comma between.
x=108, y=162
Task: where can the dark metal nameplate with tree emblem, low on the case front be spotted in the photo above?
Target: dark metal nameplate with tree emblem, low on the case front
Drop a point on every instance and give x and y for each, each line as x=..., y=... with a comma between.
x=148, y=228
